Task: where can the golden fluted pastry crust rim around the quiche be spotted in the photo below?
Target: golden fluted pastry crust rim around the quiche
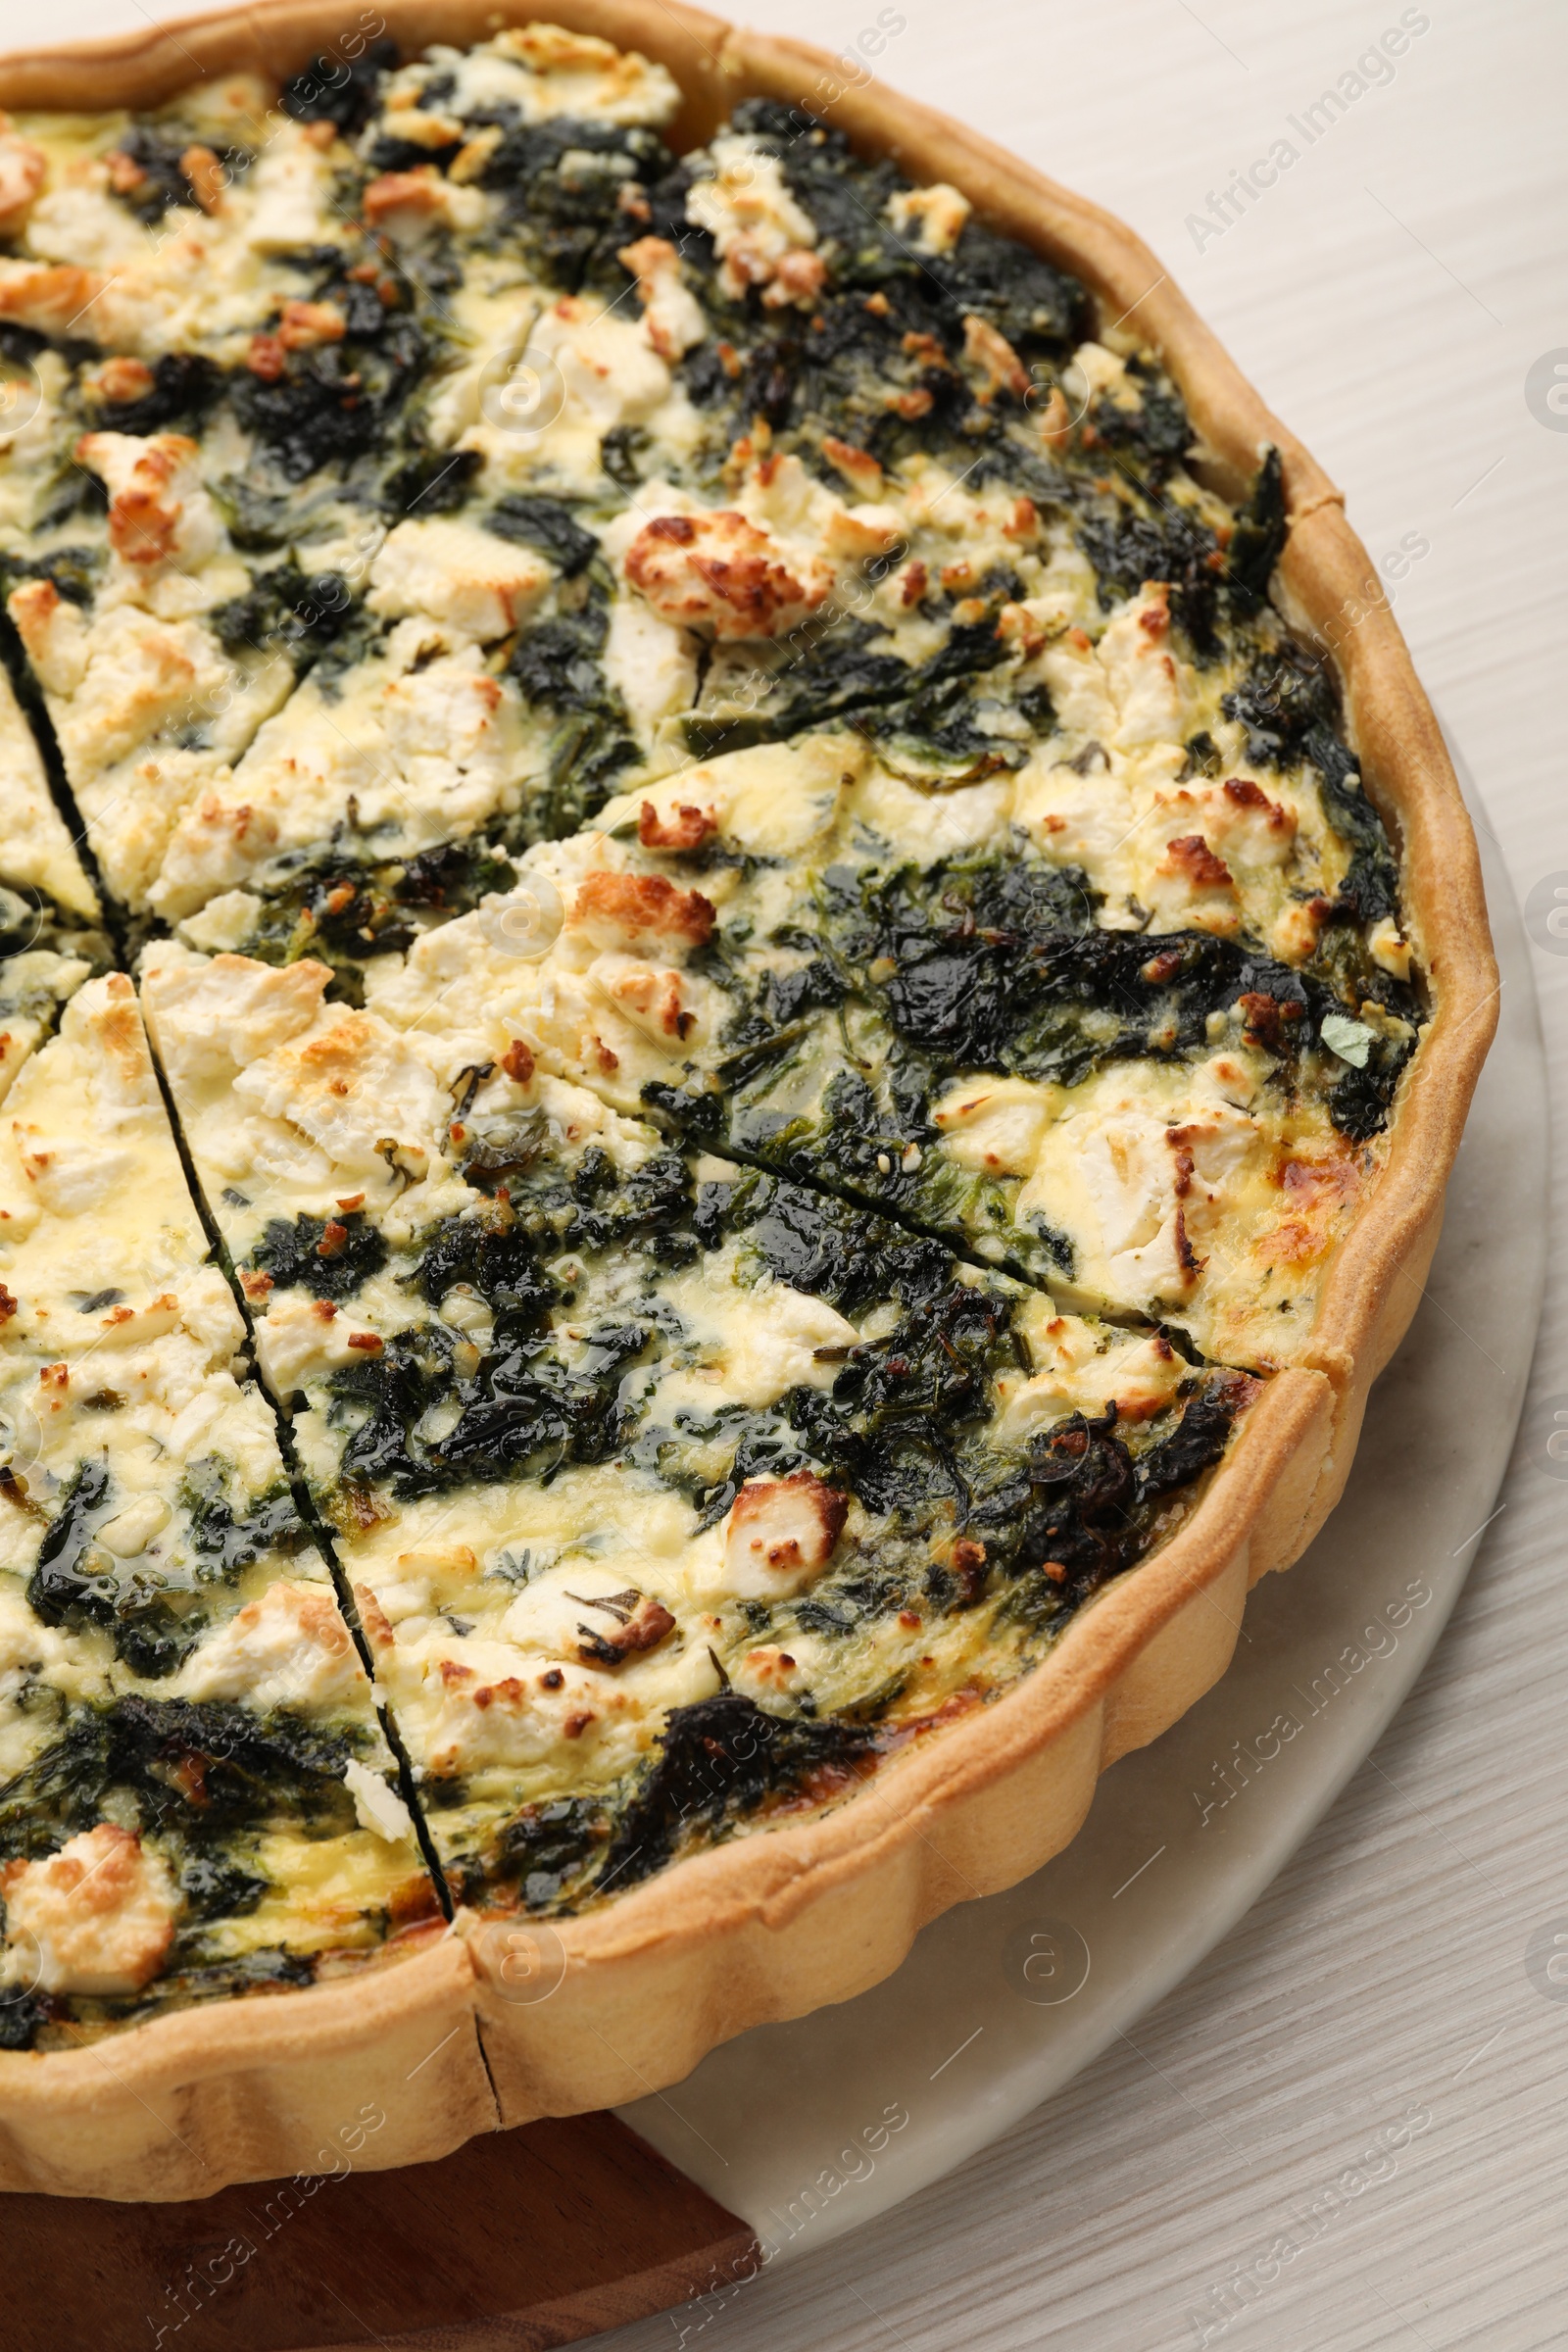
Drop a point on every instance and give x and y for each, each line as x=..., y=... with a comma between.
x=777, y=1925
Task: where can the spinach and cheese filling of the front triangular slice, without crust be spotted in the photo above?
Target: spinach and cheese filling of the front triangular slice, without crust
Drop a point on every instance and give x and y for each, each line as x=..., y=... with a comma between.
x=615, y=1436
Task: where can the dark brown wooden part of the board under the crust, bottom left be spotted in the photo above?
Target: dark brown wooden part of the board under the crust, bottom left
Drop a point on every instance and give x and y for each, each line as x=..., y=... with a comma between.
x=521, y=2240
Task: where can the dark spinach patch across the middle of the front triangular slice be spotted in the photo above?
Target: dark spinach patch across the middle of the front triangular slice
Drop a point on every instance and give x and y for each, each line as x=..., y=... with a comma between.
x=434, y=1412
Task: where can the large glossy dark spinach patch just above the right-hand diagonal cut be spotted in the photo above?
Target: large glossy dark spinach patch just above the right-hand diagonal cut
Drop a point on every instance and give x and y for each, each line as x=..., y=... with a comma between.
x=906, y=980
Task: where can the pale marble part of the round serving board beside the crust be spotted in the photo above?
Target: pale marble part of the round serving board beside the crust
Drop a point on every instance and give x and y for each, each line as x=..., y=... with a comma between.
x=817, y=2127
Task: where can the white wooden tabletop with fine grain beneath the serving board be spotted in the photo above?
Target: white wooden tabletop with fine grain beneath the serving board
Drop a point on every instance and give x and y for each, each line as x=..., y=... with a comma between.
x=1391, y=295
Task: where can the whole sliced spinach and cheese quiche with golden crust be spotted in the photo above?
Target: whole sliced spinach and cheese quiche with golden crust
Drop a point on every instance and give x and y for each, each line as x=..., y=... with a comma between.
x=737, y=982
